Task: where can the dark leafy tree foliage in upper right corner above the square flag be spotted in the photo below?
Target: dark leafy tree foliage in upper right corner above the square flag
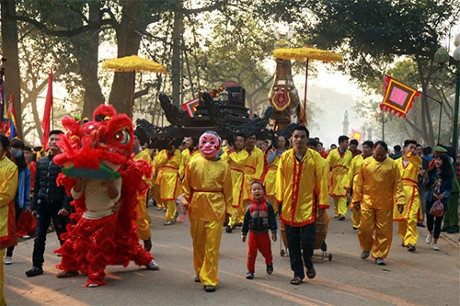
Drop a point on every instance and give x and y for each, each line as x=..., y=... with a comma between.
x=380, y=37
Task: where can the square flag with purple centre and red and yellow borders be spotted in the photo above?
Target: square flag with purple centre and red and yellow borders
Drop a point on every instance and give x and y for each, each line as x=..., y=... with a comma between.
x=397, y=97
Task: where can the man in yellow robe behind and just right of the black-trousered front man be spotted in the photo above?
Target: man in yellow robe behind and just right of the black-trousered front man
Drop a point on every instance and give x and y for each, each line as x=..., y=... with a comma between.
x=339, y=160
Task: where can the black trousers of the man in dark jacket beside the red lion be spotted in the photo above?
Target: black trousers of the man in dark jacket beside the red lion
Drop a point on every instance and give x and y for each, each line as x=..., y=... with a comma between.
x=45, y=213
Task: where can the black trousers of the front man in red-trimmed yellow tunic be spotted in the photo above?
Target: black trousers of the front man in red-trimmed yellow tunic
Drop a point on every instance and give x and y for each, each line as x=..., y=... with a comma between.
x=301, y=242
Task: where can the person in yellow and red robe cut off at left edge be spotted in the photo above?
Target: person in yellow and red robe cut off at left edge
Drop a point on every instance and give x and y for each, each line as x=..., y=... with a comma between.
x=8, y=187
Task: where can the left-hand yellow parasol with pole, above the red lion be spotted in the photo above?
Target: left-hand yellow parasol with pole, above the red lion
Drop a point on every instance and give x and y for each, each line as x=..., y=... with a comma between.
x=133, y=64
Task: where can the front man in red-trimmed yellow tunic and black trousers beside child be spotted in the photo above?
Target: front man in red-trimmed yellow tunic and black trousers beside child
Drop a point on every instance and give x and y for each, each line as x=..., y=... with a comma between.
x=301, y=188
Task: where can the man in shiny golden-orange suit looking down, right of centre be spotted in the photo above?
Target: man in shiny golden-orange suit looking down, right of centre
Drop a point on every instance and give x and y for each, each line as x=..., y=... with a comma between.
x=376, y=192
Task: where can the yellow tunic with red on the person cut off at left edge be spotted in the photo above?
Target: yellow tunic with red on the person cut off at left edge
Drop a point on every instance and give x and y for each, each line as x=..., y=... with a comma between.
x=8, y=187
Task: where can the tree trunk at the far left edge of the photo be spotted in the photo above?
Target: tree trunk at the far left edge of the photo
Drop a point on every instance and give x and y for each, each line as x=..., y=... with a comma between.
x=10, y=52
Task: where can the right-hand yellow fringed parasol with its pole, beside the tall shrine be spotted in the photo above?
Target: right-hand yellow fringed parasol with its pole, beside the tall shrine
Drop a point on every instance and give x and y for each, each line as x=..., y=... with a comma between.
x=305, y=55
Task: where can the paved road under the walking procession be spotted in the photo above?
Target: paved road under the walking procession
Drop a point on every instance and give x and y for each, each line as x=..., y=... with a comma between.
x=422, y=278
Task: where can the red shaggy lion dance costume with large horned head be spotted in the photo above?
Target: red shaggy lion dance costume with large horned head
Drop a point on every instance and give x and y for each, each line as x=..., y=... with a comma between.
x=94, y=152
